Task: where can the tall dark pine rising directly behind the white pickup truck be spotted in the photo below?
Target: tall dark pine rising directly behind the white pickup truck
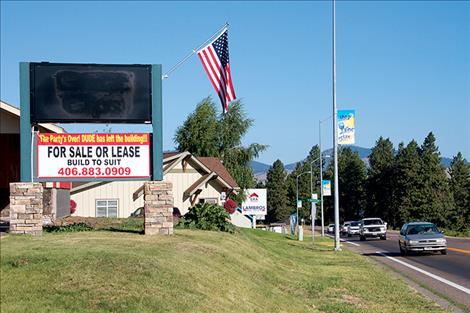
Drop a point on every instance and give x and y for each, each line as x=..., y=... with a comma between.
x=379, y=182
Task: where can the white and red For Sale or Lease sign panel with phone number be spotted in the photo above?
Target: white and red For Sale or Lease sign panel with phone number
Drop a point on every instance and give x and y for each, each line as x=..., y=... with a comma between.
x=80, y=157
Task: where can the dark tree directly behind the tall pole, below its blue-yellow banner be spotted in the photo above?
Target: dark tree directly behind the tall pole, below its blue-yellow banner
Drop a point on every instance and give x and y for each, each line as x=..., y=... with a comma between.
x=352, y=179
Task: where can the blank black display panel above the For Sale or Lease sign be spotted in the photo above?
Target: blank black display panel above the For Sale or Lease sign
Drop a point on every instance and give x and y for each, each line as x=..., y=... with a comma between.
x=90, y=93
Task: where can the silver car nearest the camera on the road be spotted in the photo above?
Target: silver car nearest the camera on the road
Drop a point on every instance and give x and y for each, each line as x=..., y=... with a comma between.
x=421, y=237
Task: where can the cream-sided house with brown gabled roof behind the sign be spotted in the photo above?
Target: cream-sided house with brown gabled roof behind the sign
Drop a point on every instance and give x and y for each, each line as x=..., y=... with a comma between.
x=195, y=180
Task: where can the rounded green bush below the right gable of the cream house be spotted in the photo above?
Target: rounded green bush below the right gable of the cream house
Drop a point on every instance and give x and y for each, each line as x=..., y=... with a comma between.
x=207, y=217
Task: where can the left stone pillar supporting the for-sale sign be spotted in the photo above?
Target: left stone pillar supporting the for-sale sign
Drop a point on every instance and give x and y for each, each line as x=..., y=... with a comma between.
x=26, y=206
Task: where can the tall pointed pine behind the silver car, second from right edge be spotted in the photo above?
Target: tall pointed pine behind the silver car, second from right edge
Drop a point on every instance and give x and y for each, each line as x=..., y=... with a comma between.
x=437, y=201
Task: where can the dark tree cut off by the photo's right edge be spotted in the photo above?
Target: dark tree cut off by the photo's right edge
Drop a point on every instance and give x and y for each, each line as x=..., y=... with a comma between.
x=460, y=186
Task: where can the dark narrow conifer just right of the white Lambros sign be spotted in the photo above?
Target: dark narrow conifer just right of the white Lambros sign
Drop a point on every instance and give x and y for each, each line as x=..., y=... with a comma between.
x=278, y=209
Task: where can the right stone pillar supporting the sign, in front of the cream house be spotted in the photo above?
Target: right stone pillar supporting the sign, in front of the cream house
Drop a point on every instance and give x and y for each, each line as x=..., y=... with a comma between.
x=158, y=206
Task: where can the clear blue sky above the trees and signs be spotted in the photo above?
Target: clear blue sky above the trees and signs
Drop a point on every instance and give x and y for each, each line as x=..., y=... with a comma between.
x=403, y=66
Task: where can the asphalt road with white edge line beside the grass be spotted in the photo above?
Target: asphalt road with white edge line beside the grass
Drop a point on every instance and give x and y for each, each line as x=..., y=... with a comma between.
x=447, y=275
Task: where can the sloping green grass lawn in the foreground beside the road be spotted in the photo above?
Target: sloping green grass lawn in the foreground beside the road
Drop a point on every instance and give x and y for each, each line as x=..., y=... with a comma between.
x=194, y=271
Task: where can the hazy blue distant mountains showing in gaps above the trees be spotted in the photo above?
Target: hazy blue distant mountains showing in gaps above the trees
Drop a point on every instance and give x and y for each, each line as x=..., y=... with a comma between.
x=260, y=169
